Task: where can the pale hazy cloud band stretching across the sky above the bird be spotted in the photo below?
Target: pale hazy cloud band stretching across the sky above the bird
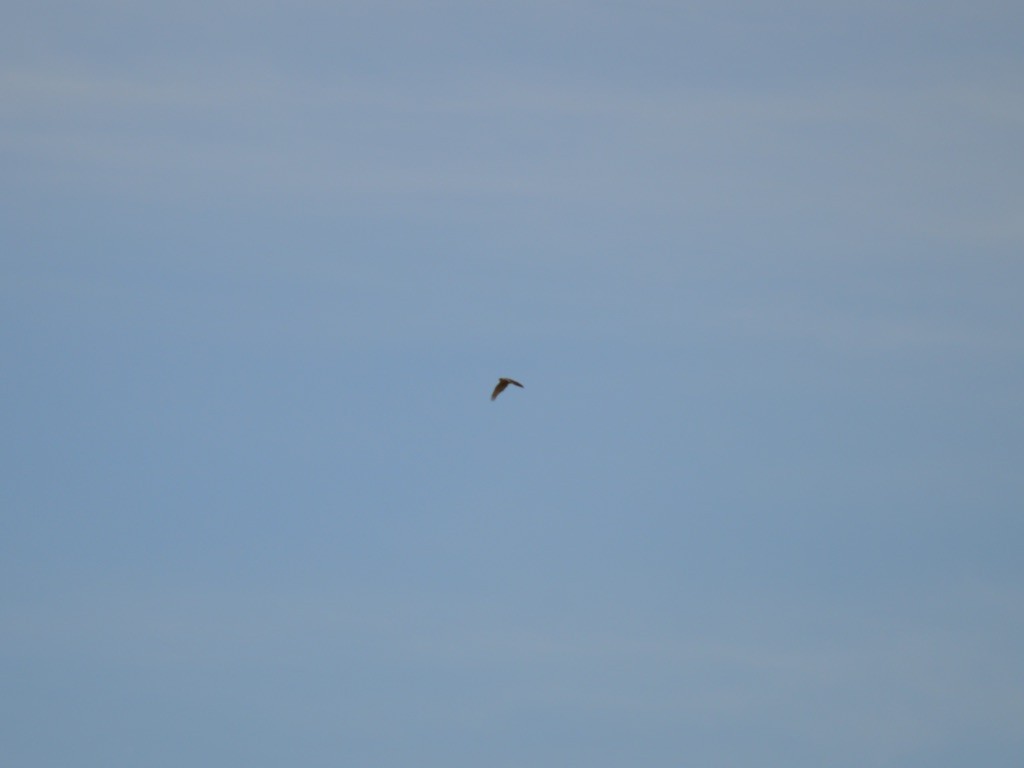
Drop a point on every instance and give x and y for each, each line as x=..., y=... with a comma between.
x=894, y=157
